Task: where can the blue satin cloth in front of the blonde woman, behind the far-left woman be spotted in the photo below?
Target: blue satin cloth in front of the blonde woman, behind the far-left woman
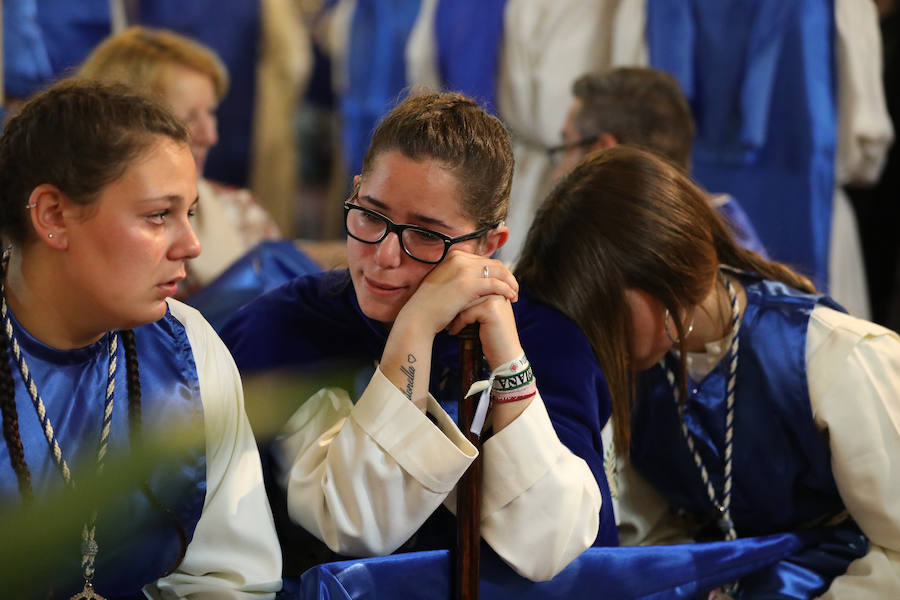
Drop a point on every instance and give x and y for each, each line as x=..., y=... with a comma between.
x=264, y=267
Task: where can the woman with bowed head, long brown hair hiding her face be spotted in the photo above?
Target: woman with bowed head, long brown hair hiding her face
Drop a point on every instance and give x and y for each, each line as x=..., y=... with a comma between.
x=750, y=403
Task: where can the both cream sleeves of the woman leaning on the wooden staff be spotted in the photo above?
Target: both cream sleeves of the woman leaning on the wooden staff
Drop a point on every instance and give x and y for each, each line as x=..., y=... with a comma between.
x=364, y=477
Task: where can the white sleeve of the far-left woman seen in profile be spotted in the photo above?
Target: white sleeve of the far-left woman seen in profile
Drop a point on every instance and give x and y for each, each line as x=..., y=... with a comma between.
x=234, y=552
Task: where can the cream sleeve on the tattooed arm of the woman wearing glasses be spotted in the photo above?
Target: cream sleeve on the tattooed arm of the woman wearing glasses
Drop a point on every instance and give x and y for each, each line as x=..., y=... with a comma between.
x=364, y=477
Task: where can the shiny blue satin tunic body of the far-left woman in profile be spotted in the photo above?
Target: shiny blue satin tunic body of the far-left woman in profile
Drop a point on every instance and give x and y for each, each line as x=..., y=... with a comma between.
x=138, y=543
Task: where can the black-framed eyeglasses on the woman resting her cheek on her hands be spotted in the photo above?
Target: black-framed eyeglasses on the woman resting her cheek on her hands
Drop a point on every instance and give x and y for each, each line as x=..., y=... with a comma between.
x=419, y=243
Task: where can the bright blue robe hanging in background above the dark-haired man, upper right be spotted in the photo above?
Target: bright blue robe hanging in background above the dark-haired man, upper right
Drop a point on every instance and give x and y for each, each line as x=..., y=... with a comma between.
x=760, y=80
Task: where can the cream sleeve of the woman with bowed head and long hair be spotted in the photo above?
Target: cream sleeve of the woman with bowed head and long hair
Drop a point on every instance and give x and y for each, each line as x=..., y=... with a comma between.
x=853, y=368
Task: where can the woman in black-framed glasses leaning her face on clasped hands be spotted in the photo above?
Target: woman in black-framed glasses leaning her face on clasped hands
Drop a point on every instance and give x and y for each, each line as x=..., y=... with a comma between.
x=425, y=217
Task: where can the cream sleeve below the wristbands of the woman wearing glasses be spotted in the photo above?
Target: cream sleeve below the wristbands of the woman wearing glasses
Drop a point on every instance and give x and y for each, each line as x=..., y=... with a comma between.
x=540, y=503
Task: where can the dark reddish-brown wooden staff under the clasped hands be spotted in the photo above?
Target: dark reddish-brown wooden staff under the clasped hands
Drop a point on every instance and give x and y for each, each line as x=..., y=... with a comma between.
x=468, y=492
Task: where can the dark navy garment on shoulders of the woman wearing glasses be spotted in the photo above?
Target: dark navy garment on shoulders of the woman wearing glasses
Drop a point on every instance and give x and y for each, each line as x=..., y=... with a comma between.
x=315, y=320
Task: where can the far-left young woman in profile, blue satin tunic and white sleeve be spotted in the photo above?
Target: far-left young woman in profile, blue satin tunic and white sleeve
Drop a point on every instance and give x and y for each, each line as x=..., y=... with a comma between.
x=96, y=190
